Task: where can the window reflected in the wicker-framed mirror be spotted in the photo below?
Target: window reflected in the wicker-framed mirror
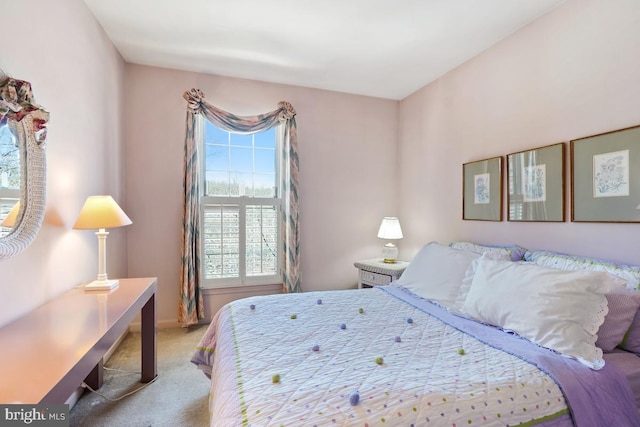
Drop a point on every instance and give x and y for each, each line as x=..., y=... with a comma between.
x=9, y=174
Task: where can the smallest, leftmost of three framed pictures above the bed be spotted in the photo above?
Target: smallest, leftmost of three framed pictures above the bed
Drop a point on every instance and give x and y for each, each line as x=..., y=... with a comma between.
x=482, y=190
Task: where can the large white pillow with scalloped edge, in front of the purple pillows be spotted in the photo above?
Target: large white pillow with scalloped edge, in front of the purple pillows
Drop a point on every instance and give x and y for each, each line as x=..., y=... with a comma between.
x=557, y=309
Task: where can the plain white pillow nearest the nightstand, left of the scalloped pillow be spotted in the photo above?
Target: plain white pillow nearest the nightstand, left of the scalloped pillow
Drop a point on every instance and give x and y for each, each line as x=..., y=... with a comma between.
x=436, y=273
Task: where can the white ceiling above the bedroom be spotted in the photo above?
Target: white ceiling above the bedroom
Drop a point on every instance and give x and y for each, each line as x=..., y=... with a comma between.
x=381, y=48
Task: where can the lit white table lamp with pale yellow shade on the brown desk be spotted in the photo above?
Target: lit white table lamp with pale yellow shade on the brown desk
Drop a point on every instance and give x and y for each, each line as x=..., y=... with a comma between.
x=101, y=212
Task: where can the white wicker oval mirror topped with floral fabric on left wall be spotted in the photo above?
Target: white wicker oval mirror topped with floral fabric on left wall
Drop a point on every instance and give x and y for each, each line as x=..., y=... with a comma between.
x=22, y=165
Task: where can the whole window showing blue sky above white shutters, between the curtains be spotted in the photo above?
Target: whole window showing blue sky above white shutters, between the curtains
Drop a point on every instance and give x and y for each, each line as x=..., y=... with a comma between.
x=240, y=208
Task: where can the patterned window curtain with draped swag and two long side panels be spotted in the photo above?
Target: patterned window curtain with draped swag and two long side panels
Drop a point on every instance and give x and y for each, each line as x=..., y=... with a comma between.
x=190, y=304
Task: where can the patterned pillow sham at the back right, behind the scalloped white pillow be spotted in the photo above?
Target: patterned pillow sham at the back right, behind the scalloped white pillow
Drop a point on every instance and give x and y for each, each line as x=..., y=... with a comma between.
x=562, y=261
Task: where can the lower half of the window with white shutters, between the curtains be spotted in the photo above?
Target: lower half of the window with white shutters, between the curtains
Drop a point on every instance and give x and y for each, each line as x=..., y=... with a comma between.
x=244, y=211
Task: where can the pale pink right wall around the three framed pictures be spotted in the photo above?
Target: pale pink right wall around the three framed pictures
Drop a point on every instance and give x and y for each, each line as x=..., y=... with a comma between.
x=570, y=74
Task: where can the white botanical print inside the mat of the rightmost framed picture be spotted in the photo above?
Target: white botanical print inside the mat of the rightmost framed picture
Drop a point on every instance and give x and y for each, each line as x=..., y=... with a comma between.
x=611, y=174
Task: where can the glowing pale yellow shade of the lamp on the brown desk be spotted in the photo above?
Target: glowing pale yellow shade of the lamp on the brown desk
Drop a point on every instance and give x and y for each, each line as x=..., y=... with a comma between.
x=100, y=212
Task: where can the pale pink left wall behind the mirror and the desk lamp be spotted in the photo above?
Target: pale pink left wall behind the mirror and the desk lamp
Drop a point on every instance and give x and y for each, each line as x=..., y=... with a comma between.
x=78, y=76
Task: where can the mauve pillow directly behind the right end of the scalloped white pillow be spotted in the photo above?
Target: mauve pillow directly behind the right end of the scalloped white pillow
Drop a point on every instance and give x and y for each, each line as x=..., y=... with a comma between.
x=623, y=308
